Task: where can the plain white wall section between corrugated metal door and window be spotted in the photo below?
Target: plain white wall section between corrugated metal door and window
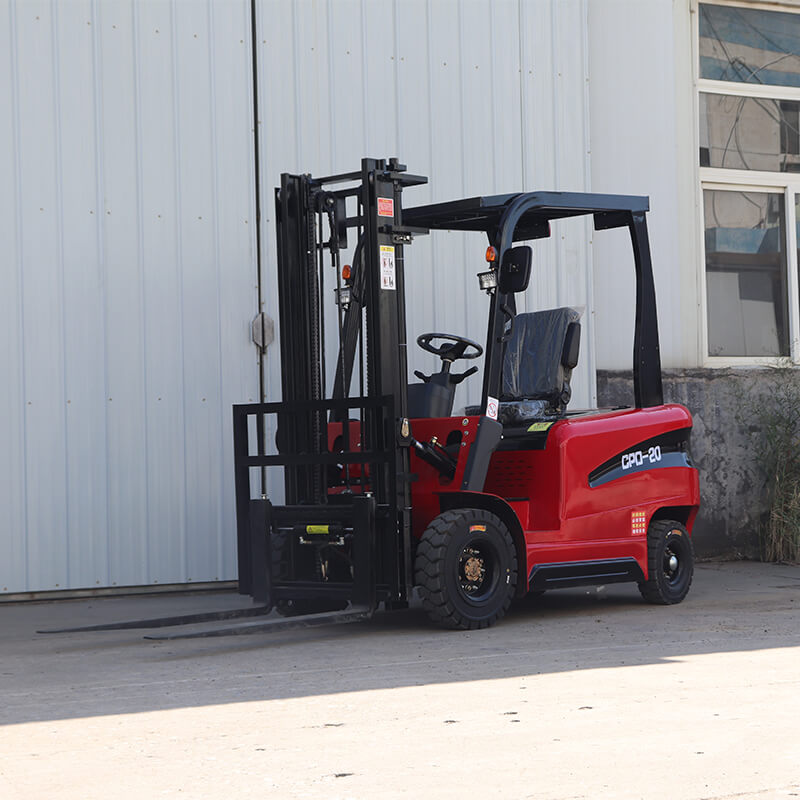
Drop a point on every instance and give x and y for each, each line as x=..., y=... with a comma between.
x=643, y=142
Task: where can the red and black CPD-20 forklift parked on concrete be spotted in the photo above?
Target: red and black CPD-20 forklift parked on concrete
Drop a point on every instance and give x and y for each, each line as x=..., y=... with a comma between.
x=385, y=489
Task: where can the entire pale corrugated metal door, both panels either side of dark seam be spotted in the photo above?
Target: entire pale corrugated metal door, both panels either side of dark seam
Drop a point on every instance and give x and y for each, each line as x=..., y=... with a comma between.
x=126, y=216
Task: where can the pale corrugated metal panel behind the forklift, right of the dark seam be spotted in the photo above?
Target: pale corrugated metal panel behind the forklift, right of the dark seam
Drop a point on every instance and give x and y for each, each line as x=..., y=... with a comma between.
x=482, y=96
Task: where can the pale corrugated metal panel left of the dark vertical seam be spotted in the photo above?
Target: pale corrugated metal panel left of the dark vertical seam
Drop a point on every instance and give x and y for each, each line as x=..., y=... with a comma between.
x=128, y=283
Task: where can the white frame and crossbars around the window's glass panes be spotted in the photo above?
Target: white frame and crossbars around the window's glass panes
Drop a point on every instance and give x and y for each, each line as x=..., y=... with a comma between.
x=722, y=179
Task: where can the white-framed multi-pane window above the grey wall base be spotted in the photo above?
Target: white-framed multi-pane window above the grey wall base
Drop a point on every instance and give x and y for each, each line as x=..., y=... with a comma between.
x=749, y=156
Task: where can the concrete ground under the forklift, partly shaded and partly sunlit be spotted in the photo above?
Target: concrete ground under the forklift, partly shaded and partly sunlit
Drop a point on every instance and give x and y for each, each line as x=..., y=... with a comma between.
x=579, y=694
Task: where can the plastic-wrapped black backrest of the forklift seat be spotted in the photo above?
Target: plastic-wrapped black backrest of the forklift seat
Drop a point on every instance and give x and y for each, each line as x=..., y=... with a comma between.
x=540, y=355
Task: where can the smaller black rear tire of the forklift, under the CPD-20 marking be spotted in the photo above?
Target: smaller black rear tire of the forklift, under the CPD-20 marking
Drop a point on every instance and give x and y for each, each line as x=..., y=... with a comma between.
x=670, y=563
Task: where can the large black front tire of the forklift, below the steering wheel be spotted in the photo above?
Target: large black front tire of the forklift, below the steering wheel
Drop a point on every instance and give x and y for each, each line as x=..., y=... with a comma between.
x=466, y=569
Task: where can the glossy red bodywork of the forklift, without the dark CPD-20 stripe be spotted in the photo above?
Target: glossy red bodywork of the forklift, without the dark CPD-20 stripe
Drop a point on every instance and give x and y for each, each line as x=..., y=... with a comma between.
x=562, y=517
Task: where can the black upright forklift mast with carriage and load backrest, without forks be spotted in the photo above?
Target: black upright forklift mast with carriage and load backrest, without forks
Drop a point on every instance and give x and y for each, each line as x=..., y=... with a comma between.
x=315, y=220
